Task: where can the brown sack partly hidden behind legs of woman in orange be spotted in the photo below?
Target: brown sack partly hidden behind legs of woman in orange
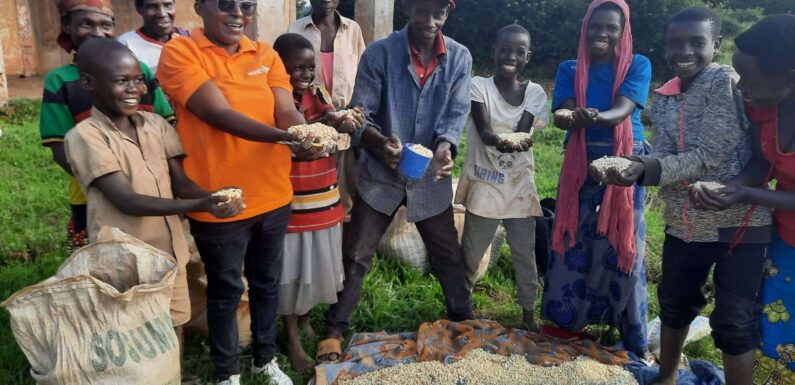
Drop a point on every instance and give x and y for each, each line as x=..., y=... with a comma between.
x=197, y=290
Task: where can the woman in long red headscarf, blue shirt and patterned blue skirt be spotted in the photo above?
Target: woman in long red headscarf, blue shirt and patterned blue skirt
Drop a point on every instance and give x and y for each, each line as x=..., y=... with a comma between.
x=597, y=273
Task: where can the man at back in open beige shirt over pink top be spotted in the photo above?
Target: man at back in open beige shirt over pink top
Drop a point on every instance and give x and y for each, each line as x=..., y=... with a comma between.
x=339, y=45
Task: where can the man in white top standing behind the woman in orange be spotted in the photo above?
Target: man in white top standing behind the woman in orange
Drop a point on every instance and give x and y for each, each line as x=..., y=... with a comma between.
x=158, y=29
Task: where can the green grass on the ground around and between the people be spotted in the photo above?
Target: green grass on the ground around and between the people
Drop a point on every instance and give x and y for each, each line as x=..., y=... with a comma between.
x=35, y=210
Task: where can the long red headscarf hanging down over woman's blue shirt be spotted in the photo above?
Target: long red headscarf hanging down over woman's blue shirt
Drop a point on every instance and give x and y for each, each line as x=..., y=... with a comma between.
x=616, y=213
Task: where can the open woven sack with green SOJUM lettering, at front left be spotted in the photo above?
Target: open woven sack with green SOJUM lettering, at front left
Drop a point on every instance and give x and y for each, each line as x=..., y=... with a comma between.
x=103, y=318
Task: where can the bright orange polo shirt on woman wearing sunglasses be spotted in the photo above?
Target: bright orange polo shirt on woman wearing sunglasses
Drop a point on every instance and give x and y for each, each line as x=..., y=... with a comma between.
x=215, y=158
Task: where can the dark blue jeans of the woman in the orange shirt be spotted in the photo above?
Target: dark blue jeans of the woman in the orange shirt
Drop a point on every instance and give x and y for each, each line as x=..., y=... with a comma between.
x=228, y=249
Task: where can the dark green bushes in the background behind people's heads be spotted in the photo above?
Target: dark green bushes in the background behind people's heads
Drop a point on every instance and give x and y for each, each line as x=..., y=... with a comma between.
x=555, y=26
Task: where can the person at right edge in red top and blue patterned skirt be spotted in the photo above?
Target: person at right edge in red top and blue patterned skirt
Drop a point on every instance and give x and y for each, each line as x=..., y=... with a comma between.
x=765, y=60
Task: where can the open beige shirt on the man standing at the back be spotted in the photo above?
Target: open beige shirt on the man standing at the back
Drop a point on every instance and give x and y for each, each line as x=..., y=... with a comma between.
x=348, y=49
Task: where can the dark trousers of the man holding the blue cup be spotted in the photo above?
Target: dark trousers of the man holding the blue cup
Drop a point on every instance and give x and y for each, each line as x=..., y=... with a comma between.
x=366, y=228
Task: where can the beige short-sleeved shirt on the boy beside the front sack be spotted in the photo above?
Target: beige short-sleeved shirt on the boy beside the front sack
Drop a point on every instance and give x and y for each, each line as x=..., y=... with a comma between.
x=95, y=147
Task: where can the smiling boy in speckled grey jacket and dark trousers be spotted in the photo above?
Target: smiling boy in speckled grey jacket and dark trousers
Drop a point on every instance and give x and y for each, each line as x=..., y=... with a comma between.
x=701, y=134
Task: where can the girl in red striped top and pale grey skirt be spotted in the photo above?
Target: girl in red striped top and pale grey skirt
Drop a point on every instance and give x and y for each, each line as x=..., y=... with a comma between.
x=312, y=271
